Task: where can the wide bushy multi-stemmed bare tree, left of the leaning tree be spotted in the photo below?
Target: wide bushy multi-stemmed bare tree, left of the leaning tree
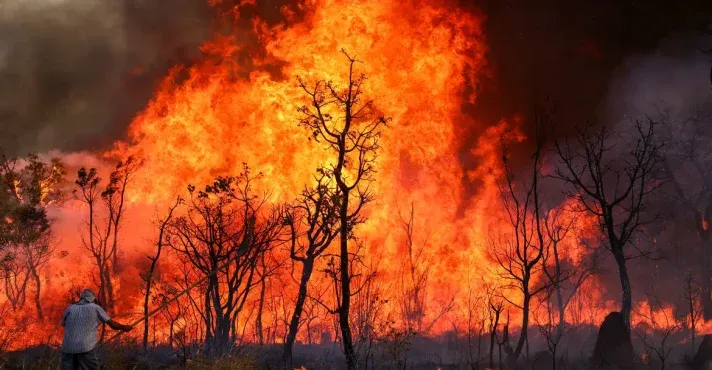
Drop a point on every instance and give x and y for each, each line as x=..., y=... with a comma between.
x=223, y=235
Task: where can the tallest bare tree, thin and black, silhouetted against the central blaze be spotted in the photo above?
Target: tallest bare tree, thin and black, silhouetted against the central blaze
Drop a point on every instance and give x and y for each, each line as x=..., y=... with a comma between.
x=351, y=128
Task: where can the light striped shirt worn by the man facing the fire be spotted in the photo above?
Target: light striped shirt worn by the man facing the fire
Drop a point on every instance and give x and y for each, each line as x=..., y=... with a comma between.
x=81, y=323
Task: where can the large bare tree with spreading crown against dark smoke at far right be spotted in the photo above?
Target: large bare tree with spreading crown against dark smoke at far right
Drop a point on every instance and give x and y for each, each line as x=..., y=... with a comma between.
x=615, y=187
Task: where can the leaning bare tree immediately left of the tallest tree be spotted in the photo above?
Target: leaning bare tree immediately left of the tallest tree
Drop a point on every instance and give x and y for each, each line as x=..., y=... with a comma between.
x=314, y=224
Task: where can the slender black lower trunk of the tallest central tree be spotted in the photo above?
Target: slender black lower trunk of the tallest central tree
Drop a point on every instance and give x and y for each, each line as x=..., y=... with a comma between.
x=345, y=308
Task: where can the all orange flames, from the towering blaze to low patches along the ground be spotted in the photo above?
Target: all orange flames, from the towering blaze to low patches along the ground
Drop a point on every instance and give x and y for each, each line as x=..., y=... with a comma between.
x=422, y=59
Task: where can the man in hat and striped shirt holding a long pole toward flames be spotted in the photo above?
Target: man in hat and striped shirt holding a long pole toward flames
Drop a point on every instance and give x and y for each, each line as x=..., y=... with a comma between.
x=81, y=323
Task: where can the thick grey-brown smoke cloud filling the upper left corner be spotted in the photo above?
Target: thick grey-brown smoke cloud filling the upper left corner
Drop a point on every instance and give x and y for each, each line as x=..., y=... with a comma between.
x=74, y=72
